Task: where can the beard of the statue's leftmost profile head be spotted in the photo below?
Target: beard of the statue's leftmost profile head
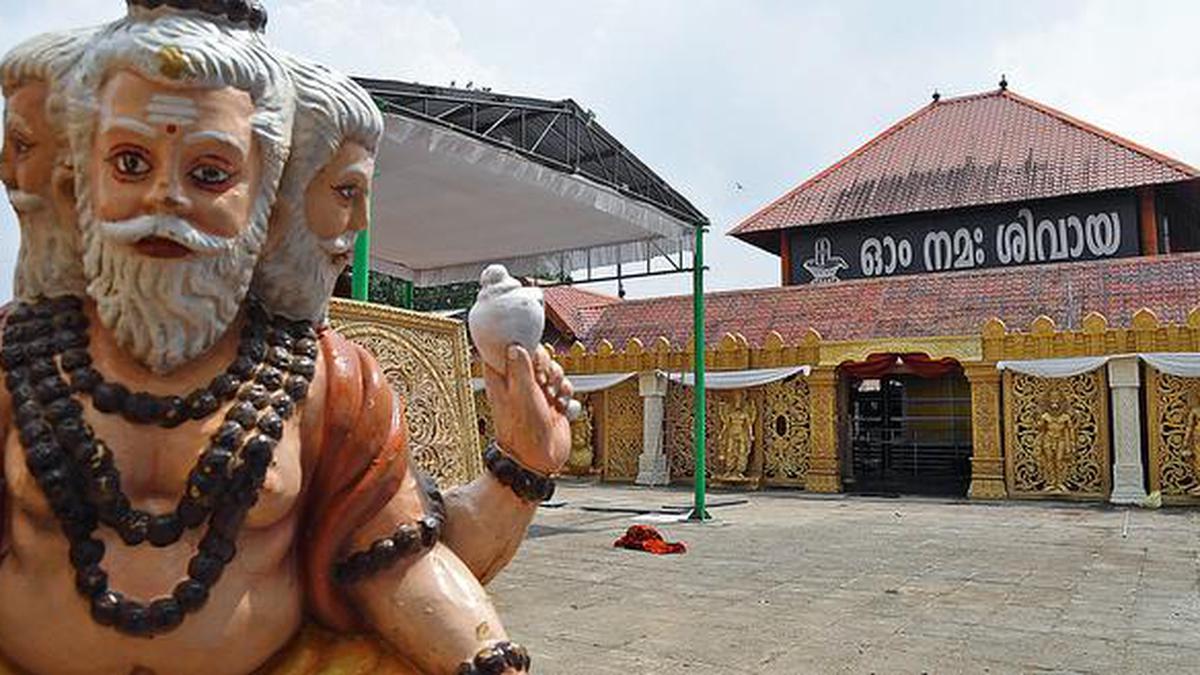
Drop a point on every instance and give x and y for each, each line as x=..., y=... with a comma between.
x=50, y=261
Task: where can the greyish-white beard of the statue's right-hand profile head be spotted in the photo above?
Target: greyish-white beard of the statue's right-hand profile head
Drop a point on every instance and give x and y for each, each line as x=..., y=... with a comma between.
x=298, y=279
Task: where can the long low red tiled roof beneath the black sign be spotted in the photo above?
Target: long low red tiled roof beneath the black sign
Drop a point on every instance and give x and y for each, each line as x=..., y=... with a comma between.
x=921, y=306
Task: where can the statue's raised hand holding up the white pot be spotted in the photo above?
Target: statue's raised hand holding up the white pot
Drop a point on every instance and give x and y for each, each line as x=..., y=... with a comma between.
x=529, y=410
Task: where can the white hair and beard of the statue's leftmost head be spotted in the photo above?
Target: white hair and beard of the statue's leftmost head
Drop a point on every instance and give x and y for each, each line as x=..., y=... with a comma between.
x=50, y=260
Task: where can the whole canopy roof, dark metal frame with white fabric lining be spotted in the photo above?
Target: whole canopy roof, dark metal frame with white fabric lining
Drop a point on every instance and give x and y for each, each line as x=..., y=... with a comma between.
x=467, y=178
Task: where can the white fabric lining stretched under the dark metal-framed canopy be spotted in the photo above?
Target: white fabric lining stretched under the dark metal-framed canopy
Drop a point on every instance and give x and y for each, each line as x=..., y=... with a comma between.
x=446, y=205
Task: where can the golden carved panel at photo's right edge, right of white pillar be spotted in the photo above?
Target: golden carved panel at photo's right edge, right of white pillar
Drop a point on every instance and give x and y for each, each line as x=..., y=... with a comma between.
x=1173, y=407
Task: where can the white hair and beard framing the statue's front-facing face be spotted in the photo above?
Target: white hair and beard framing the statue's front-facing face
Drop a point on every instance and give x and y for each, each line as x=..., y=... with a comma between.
x=159, y=309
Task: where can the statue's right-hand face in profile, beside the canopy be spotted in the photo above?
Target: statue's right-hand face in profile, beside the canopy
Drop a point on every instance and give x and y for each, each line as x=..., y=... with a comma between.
x=339, y=199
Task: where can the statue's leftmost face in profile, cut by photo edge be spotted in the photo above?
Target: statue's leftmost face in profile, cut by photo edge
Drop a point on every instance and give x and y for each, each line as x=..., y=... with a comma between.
x=28, y=159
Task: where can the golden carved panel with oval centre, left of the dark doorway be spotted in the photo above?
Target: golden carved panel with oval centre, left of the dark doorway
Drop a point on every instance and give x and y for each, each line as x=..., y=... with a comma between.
x=787, y=433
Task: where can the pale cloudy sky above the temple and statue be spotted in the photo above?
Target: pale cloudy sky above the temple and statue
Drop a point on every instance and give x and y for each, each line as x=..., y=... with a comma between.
x=736, y=103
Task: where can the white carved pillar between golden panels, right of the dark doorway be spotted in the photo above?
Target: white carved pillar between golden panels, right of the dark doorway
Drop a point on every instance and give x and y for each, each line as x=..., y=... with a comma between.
x=1125, y=384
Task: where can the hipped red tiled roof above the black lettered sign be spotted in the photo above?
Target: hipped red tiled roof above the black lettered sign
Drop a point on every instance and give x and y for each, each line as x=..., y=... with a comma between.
x=981, y=150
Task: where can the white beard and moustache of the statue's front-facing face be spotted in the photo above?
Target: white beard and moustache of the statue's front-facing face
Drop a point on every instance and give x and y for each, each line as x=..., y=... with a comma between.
x=166, y=312
